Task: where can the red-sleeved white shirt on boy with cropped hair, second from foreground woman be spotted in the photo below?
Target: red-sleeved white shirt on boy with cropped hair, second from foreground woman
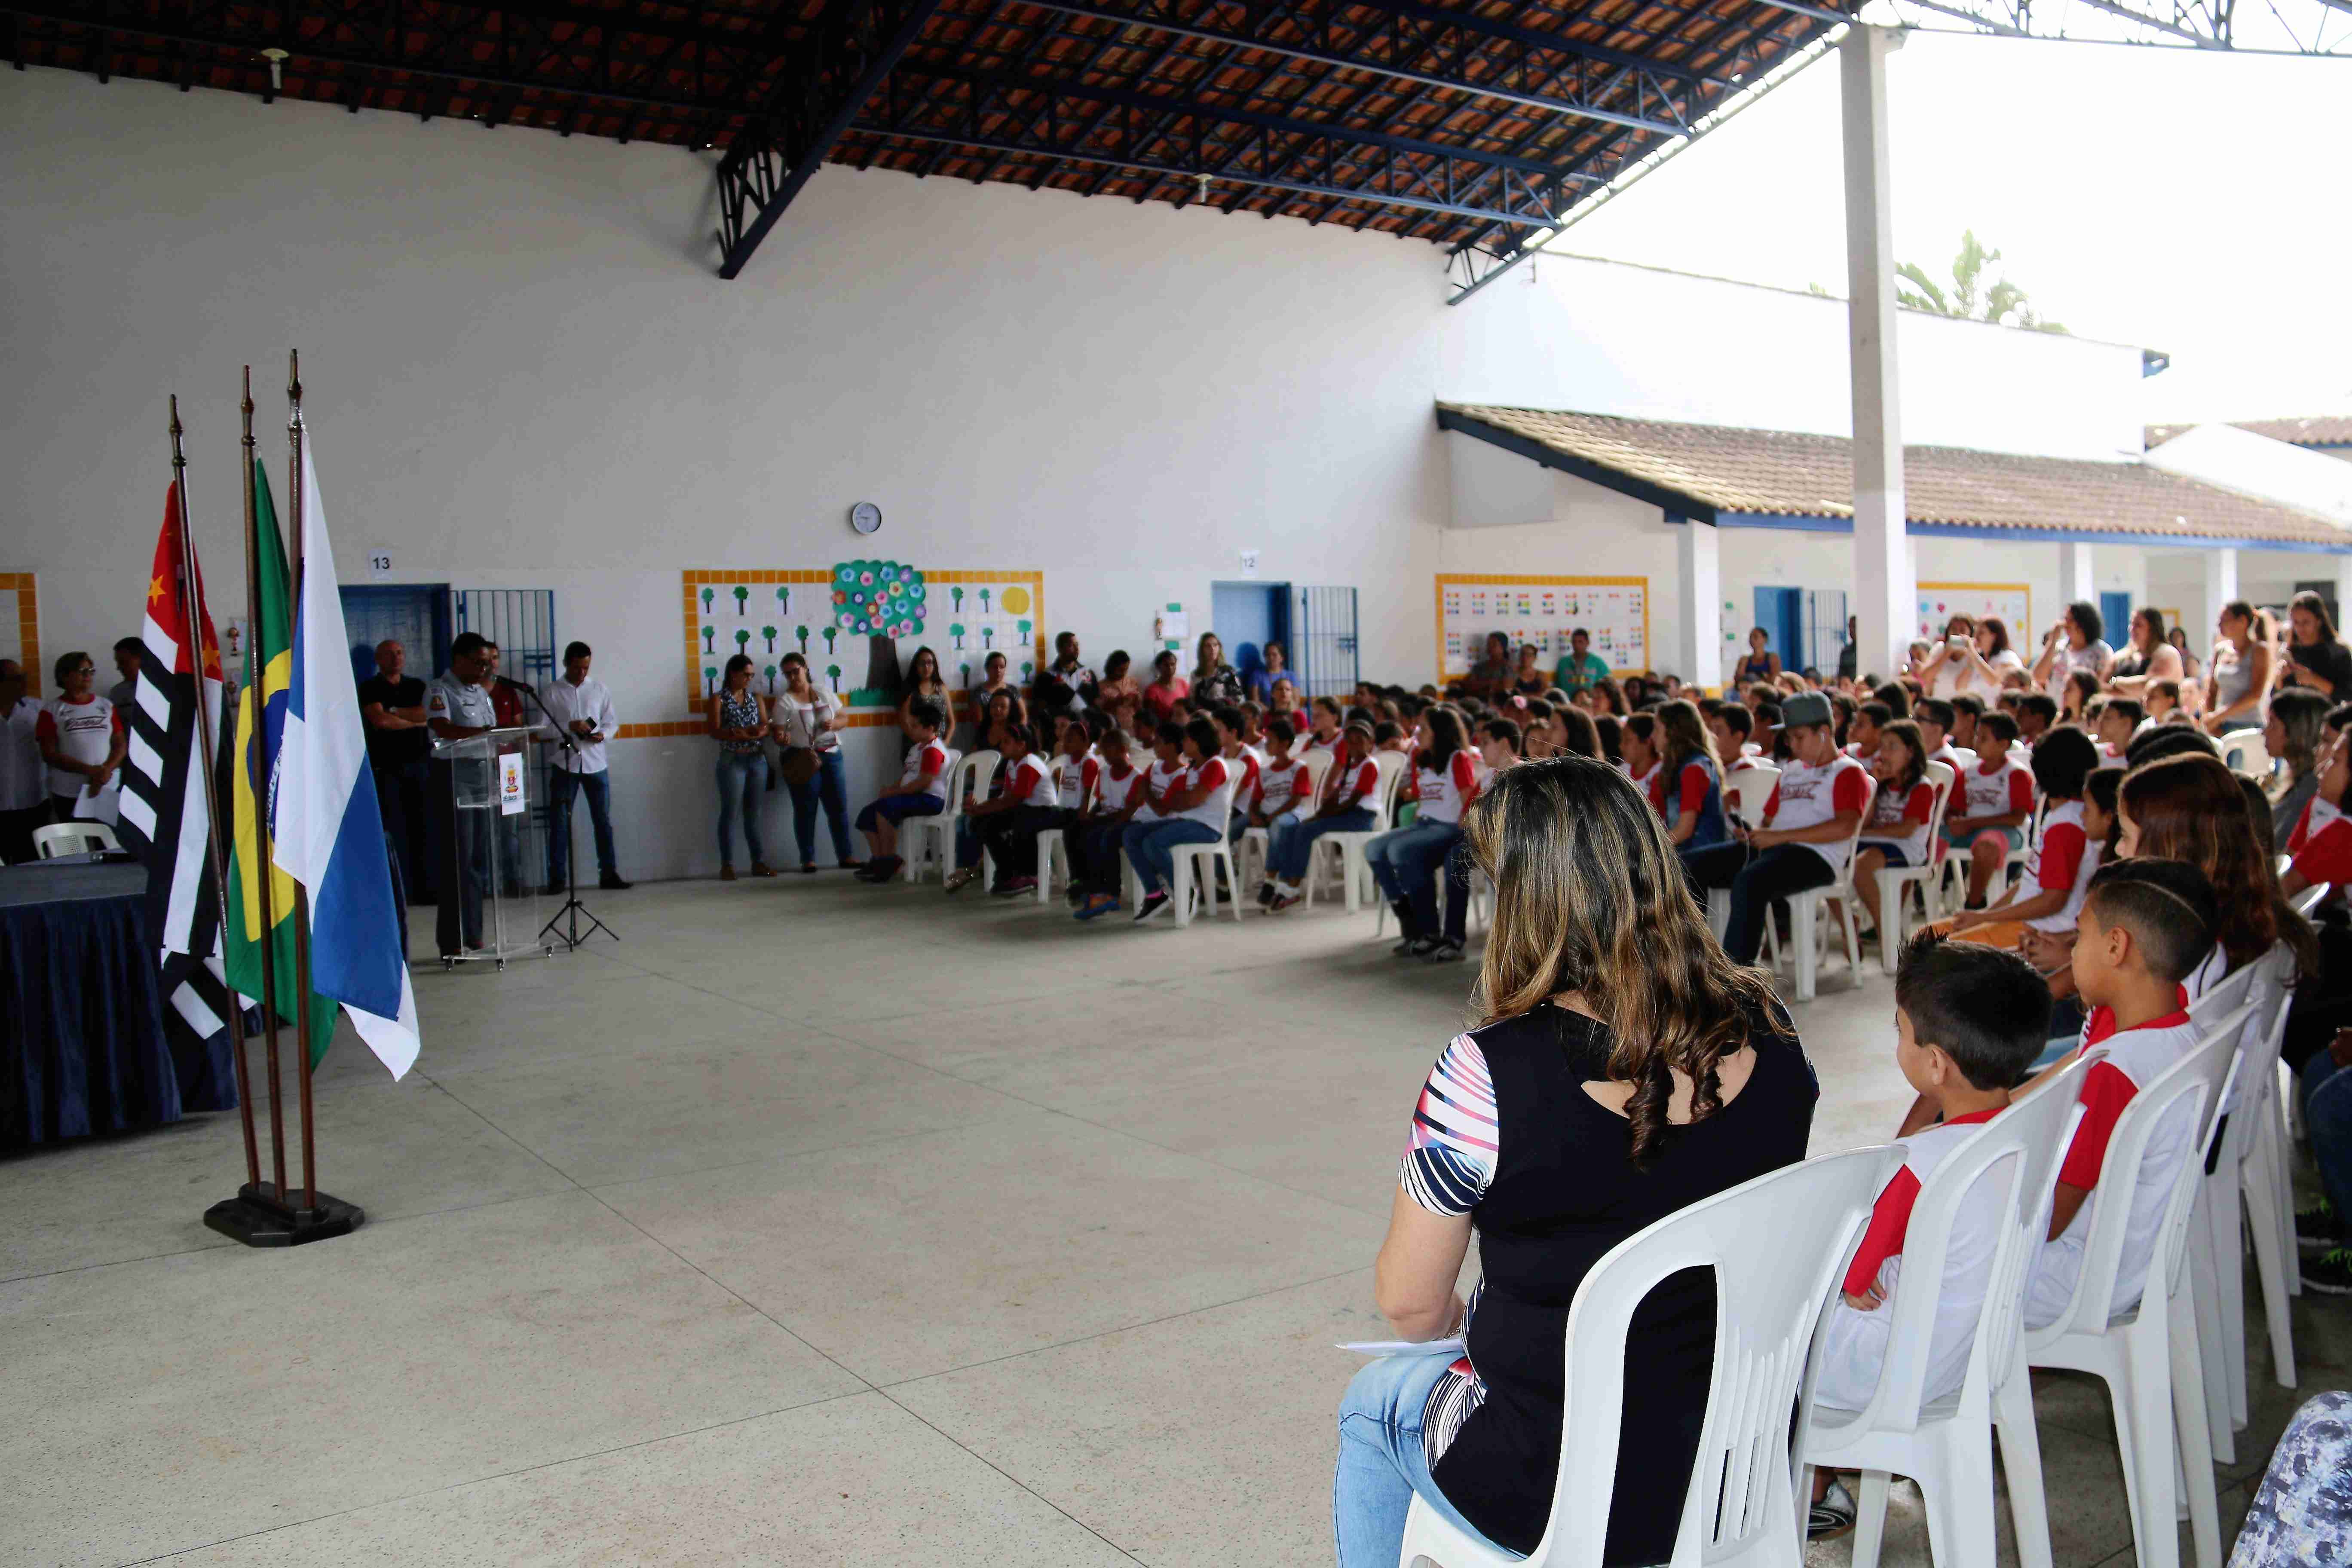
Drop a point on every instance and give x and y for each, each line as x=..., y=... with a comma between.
x=2134, y=1061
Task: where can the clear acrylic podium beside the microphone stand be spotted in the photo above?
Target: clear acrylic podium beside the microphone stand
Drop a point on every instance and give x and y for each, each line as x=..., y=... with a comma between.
x=497, y=850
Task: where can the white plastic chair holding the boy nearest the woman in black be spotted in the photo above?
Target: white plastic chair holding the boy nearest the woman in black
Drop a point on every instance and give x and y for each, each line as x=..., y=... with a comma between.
x=1946, y=1445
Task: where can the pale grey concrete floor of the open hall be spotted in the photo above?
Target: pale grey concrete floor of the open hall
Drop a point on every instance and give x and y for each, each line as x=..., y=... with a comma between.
x=813, y=1224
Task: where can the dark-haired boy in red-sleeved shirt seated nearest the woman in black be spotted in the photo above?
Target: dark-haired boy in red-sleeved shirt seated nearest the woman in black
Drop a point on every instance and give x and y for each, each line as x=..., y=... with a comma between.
x=1967, y=1024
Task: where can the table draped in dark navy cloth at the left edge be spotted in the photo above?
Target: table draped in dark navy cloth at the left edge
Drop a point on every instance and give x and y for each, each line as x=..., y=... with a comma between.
x=83, y=1043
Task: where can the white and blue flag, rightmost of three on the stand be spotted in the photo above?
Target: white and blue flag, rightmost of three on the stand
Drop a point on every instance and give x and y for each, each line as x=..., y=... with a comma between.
x=330, y=836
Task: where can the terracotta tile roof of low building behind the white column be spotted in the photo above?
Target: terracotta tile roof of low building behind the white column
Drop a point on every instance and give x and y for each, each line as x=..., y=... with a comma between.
x=1812, y=476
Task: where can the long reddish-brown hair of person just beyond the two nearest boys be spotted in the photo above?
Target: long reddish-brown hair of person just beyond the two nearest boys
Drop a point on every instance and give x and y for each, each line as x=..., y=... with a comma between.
x=2191, y=808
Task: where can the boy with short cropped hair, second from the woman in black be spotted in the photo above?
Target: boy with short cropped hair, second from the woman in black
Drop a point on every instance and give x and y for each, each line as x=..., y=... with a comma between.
x=2146, y=927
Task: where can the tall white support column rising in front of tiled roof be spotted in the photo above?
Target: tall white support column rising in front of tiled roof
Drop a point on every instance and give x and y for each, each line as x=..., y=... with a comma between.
x=1885, y=591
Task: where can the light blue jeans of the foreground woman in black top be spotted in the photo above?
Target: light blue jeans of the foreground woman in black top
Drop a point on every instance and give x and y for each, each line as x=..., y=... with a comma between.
x=1382, y=1466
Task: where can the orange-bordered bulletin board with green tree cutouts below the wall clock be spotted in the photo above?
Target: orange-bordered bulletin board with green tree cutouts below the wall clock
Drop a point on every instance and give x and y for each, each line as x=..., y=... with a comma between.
x=829, y=617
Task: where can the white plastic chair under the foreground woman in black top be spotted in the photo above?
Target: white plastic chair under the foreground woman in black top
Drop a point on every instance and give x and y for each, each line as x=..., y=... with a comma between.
x=1777, y=1247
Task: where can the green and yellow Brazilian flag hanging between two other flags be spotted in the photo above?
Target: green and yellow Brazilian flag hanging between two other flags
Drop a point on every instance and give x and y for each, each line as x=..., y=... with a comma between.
x=265, y=711
